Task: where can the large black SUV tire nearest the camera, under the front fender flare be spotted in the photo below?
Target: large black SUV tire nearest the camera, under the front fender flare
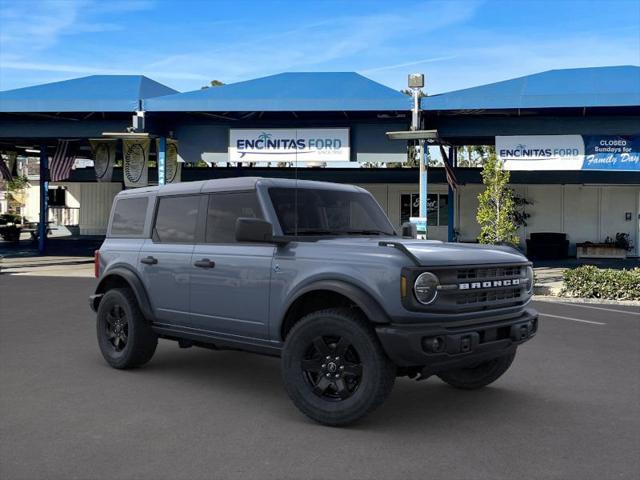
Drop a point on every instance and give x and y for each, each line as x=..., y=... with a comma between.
x=377, y=372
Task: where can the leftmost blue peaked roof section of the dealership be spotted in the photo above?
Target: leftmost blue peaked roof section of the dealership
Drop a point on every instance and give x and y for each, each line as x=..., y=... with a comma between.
x=96, y=93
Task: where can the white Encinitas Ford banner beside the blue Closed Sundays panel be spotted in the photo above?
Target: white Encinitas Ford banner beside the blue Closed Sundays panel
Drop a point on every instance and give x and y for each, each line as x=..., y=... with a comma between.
x=541, y=152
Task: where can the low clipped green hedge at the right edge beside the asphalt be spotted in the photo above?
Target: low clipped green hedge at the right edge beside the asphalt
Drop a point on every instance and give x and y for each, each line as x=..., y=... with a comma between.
x=592, y=282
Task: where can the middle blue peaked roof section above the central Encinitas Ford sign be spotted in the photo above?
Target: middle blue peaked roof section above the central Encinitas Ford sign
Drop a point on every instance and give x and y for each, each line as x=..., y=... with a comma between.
x=288, y=92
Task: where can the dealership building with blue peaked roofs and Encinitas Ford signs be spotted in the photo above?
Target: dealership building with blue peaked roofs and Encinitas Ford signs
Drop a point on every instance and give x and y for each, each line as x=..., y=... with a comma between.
x=571, y=139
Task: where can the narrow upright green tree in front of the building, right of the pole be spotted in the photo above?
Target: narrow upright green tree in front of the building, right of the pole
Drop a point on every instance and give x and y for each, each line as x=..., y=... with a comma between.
x=497, y=208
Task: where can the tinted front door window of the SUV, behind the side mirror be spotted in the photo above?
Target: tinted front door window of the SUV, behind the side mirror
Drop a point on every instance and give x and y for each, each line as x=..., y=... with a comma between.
x=224, y=209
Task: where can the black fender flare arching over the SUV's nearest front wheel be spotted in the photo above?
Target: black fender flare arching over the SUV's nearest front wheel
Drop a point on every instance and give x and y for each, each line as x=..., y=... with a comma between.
x=363, y=300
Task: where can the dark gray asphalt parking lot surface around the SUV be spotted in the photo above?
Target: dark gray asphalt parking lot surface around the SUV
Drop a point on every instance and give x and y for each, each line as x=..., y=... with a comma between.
x=568, y=408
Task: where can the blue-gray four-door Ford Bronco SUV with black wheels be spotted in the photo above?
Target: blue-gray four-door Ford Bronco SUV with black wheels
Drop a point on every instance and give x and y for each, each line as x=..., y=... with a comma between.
x=314, y=273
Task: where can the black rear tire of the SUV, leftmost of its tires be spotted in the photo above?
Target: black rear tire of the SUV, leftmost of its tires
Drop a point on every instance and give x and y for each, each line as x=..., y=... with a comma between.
x=141, y=341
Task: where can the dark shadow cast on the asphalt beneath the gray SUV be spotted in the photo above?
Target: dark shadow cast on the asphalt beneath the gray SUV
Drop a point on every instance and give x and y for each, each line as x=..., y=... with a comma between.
x=410, y=406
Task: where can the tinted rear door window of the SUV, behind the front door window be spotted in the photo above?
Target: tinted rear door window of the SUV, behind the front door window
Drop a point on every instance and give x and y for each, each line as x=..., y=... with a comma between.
x=176, y=219
